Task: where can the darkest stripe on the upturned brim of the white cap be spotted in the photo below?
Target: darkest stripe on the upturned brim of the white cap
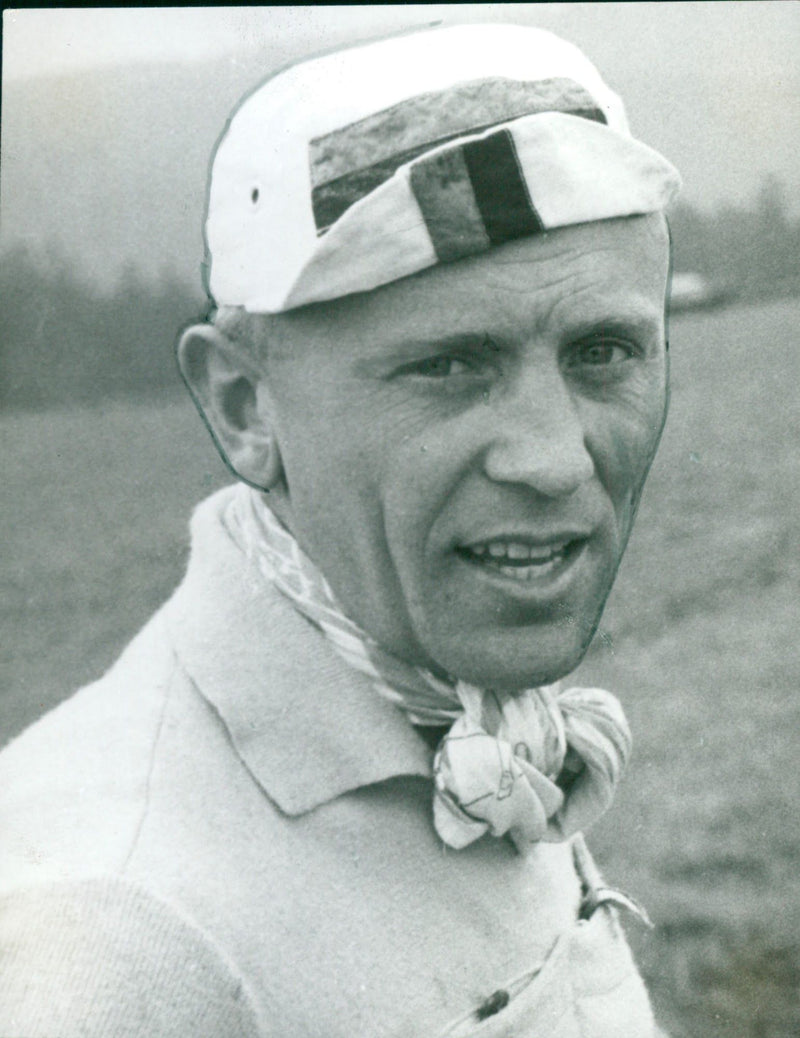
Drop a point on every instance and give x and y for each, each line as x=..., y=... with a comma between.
x=502, y=195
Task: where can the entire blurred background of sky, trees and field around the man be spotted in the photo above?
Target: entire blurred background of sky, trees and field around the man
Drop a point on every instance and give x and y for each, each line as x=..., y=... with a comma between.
x=109, y=118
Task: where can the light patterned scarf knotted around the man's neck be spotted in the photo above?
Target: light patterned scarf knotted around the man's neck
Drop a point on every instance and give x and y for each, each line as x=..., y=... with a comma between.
x=540, y=764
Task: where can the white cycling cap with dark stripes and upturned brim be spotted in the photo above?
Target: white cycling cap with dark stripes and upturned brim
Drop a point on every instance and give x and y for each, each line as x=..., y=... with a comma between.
x=354, y=170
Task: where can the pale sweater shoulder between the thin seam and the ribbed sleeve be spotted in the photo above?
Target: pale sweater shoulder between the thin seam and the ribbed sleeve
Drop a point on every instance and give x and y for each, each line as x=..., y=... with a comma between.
x=73, y=786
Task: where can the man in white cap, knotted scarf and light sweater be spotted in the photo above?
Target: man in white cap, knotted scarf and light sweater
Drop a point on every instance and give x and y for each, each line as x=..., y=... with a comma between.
x=335, y=788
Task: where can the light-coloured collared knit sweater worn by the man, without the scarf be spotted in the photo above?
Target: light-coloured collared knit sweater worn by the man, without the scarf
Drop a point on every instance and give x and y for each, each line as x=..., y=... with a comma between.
x=231, y=835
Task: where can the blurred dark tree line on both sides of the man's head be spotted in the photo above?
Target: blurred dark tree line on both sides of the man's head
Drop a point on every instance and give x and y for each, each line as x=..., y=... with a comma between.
x=65, y=342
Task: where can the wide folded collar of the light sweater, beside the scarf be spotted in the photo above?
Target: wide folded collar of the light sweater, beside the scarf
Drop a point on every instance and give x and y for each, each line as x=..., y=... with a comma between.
x=306, y=724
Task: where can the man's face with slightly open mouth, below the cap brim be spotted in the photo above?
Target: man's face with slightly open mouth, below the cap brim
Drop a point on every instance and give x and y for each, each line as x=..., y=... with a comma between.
x=464, y=450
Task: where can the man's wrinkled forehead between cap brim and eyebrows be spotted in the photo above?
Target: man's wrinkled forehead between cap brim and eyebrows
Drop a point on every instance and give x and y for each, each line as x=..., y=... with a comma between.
x=603, y=270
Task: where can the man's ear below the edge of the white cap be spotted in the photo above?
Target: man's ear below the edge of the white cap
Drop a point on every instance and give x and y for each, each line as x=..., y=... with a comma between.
x=230, y=390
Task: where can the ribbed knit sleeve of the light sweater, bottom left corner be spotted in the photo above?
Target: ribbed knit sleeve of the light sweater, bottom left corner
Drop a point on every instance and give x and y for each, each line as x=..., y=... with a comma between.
x=103, y=957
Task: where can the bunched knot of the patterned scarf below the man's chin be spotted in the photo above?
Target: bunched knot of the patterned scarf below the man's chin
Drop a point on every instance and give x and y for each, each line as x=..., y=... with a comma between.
x=539, y=766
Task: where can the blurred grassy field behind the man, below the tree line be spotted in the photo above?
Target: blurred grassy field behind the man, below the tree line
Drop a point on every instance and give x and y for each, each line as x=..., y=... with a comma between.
x=699, y=639
